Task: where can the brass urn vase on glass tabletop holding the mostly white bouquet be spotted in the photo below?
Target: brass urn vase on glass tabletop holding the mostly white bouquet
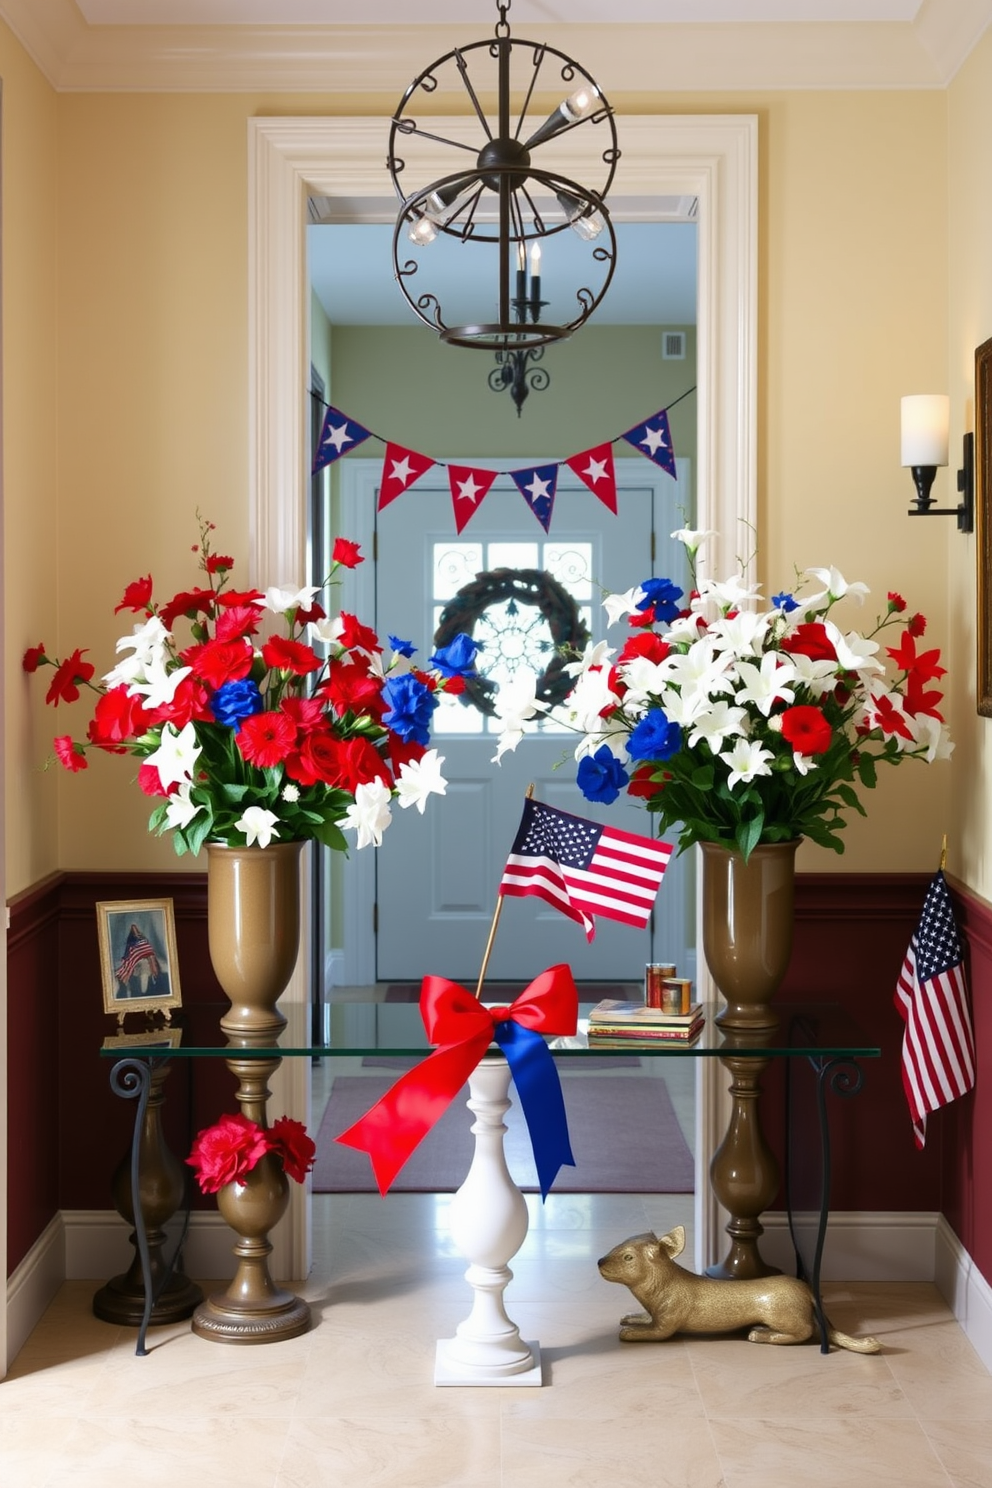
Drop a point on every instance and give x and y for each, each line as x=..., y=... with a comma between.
x=747, y=928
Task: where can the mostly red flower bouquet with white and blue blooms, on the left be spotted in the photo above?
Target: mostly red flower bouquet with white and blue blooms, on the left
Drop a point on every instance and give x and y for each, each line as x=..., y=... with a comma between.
x=251, y=737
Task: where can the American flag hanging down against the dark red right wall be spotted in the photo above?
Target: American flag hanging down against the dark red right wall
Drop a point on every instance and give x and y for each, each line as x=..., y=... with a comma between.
x=933, y=1001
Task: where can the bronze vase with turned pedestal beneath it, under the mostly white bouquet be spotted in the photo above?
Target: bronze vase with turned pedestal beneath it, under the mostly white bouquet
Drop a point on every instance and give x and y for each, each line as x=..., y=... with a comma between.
x=747, y=944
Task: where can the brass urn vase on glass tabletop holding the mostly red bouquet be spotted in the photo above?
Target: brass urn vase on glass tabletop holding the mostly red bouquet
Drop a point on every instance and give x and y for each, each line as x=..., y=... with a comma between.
x=254, y=923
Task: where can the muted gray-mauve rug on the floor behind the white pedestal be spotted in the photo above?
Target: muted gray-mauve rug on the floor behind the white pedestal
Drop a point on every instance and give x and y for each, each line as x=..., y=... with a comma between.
x=624, y=1130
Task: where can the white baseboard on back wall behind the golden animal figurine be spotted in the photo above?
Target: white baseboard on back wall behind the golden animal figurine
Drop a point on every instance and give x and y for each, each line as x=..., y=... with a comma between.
x=860, y=1246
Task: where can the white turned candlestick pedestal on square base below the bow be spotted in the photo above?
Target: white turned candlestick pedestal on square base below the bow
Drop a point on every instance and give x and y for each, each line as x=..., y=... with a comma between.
x=489, y=1222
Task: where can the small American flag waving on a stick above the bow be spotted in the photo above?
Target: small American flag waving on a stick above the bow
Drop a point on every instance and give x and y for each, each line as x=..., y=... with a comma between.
x=584, y=868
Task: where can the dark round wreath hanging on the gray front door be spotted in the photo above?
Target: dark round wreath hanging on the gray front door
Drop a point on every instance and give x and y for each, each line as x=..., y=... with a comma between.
x=535, y=587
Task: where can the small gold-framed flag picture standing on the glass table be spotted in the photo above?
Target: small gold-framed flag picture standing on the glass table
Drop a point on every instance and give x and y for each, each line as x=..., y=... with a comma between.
x=138, y=956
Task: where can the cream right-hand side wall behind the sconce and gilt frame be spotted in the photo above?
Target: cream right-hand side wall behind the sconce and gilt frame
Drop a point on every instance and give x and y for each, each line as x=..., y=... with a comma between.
x=970, y=324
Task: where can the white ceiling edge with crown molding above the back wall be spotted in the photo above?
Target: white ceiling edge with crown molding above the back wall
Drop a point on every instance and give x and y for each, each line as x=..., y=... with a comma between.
x=370, y=47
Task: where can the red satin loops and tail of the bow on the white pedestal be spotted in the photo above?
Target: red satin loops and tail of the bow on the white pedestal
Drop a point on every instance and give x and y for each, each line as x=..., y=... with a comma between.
x=463, y=1032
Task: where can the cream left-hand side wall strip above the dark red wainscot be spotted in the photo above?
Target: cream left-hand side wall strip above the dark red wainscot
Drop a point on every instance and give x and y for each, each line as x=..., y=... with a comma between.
x=30, y=468
